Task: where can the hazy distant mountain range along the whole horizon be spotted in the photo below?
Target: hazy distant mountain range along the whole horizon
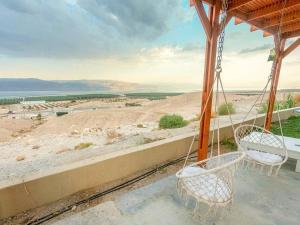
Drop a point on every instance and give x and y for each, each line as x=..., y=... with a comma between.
x=104, y=86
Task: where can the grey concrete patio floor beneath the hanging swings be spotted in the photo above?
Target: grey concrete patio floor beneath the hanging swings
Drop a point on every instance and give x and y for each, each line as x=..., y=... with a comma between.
x=259, y=200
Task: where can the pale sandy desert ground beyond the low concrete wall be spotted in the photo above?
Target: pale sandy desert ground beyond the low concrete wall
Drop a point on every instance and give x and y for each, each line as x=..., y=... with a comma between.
x=29, y=146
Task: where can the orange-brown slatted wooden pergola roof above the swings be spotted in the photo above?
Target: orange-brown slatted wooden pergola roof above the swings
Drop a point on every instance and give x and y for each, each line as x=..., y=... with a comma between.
x=265, y=15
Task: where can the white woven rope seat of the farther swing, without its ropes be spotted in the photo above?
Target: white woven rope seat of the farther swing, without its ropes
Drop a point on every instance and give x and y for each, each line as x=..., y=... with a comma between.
x=261, y=147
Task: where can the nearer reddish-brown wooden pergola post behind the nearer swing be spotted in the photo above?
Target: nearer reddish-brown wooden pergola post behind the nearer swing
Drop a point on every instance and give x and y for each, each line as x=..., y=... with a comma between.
x=211, y=26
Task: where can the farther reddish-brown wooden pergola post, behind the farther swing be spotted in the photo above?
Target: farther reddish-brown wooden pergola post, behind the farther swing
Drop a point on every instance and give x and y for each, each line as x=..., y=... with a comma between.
x=279, y=46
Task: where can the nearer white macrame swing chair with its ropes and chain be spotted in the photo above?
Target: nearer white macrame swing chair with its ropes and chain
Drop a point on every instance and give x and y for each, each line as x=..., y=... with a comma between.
x=210, y=181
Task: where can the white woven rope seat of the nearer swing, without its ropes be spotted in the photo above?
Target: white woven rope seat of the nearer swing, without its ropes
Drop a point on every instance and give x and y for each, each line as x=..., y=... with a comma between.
x=210, y=181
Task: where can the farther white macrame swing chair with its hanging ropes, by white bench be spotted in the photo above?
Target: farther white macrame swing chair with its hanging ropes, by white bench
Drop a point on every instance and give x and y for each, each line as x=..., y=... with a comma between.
x=263, y=149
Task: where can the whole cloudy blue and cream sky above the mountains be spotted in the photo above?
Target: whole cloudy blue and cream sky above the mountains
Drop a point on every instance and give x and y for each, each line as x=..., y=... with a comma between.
x=131, y=40
